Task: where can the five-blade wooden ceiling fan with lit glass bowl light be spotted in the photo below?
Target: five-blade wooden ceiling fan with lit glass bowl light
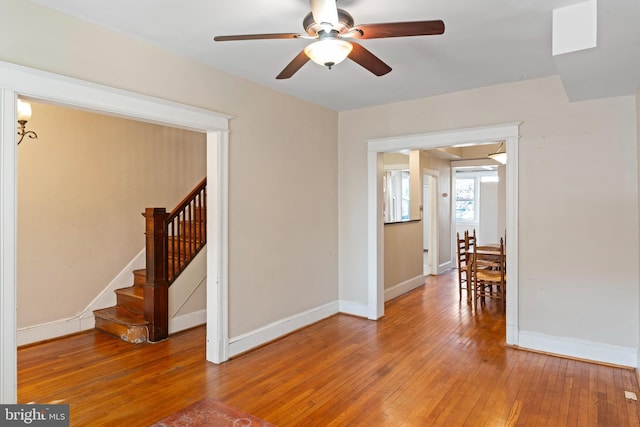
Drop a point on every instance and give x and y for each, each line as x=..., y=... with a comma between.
x=335, y=35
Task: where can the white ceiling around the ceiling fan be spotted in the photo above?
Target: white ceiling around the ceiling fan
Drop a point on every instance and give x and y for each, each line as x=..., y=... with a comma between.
x=485, y=43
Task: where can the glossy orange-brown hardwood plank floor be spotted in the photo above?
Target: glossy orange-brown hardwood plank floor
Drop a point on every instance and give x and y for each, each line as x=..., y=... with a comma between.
x=431, y=361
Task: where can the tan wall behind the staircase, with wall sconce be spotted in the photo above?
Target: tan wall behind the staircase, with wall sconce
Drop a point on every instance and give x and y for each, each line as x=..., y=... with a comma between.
x=82, y=186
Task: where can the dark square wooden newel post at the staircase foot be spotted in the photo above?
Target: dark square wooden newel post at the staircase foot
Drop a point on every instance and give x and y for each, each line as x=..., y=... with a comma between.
x=156, y=288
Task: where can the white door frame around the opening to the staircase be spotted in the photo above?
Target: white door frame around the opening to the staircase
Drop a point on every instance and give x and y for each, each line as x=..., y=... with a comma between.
x=48, y=87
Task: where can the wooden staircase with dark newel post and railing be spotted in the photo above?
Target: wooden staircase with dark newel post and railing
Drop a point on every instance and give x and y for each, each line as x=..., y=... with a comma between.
x=173, y=240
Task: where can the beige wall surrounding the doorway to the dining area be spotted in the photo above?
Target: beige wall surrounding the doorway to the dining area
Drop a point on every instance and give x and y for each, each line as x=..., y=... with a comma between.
x=578, y=200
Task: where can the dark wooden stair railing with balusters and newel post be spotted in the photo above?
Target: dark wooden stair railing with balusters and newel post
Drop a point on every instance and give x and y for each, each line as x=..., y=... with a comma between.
x=172, y=242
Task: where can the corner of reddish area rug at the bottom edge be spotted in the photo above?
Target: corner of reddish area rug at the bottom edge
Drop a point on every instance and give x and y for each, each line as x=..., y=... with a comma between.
x=208, y=412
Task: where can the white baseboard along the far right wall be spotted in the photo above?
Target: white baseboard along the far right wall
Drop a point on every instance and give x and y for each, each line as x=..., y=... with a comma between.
x=581, y=349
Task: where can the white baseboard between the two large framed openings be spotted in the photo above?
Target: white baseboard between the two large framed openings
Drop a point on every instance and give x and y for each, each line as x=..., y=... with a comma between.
x=265, y=334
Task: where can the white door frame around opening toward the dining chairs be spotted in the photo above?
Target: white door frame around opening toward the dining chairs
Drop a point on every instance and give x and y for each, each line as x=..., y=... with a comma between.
x=508, y=132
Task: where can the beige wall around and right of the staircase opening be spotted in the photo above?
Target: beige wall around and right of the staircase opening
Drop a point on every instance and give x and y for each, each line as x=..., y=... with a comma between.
x=283, y=251
